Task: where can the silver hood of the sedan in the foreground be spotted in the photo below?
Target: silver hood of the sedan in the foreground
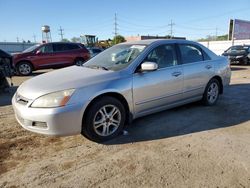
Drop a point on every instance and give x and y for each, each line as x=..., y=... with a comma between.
x=66, y=78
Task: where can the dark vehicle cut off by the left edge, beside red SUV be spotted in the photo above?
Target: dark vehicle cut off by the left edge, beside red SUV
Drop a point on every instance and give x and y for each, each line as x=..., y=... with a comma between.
x=6, y=69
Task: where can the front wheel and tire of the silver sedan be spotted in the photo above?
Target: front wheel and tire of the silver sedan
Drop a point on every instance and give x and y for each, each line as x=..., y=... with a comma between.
x=104, y=119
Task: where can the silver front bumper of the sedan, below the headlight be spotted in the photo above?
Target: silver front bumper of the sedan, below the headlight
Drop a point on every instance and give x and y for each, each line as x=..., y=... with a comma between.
x=61, y=121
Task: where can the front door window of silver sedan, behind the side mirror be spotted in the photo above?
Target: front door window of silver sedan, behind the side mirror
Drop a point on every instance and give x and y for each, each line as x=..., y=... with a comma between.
x=164, y=56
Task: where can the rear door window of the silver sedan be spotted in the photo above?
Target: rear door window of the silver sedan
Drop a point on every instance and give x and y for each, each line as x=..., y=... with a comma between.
x=190, y=53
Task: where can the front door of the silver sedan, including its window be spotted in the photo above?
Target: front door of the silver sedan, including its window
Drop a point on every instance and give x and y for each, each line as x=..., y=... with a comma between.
x=156, y=89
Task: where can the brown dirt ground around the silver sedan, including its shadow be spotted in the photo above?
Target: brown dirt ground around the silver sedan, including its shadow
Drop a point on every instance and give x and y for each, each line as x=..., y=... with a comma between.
x=189, y=146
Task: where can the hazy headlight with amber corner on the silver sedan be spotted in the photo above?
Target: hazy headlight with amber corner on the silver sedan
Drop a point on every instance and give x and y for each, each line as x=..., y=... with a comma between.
x=55, y=99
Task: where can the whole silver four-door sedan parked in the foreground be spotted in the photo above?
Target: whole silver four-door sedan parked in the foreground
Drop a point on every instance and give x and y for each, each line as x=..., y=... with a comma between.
x=124, y=82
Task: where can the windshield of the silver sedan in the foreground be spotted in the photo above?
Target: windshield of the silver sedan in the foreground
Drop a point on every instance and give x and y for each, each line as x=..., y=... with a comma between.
x=115, y=58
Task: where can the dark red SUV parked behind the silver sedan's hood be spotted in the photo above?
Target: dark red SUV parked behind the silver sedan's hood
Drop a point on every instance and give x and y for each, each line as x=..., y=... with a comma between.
x=50, y=55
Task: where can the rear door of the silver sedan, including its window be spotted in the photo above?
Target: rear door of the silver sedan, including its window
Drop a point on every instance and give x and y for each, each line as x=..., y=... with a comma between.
x=198, y=69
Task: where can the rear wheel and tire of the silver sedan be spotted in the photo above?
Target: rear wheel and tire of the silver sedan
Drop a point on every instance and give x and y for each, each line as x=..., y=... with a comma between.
x=211, y=93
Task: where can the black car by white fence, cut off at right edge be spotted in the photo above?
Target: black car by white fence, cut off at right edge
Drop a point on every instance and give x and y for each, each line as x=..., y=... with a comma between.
x=238, y=54
